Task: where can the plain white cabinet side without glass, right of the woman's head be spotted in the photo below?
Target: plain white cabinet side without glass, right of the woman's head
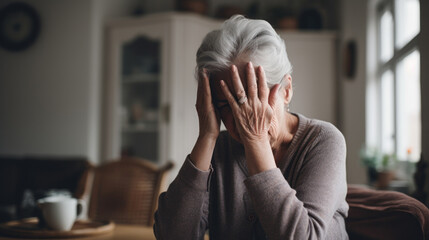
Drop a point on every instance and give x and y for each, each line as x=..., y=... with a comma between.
x=313, y=56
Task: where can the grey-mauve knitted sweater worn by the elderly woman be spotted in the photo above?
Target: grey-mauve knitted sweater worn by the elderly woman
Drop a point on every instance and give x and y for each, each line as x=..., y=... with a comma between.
x=304, y=198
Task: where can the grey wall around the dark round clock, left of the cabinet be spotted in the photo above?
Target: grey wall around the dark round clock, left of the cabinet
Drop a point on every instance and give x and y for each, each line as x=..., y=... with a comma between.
x=49, y=93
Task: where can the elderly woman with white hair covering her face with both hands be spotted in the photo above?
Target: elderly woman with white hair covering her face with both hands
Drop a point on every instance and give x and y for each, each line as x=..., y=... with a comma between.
x=274, y=174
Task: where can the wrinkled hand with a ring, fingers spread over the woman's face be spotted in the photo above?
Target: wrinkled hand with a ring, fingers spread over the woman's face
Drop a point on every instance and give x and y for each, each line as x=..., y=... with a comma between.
x=253, y=110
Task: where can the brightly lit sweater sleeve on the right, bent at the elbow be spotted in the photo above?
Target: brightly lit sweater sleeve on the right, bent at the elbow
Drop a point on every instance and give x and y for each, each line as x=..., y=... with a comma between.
x=306, y=211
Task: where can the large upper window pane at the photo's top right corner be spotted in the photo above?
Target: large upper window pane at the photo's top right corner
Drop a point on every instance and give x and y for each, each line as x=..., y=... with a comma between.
x=407, y=21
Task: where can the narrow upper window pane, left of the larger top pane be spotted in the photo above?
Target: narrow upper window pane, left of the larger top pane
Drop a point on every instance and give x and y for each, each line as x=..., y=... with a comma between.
x=386, y=36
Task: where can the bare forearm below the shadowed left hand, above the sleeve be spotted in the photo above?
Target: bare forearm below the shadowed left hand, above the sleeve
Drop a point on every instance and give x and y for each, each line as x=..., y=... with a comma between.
x=202, y=152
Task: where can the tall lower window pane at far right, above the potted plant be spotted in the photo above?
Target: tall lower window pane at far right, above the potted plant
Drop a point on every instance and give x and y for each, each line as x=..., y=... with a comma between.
x=408, y=107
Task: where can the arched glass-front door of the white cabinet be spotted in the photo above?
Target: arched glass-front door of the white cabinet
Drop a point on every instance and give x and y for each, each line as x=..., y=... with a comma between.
x=136, y=102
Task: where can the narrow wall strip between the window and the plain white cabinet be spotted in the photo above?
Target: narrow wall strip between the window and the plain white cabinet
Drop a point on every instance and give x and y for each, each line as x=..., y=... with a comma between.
x=352, y=91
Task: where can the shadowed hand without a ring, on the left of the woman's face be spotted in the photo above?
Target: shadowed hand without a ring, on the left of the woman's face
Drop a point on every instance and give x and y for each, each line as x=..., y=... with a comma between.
x=208, y=117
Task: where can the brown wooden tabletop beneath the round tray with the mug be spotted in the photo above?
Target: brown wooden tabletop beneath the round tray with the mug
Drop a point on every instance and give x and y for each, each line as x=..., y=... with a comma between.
x=129, y=232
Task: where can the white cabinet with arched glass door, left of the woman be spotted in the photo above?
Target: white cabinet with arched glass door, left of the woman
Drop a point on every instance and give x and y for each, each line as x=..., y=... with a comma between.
x=150, y=89
